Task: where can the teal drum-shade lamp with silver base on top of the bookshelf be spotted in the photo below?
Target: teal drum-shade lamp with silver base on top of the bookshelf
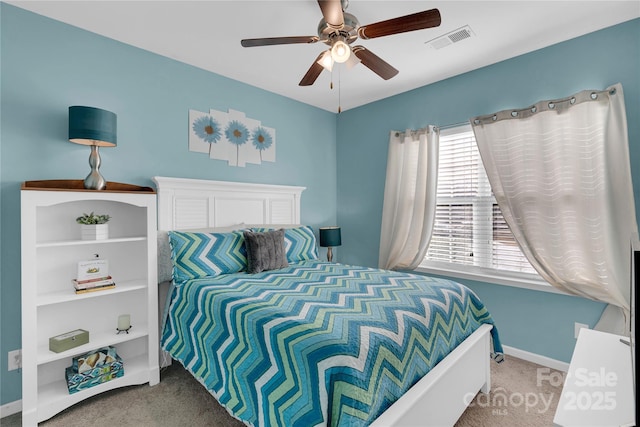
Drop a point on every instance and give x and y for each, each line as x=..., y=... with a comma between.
x=97, y=128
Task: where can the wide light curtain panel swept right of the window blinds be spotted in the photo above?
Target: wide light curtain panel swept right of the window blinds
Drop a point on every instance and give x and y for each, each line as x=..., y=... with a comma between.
x=560, y=173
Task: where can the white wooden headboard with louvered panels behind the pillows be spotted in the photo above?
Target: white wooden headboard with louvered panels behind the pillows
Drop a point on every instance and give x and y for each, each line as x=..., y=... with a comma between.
x=195, y=203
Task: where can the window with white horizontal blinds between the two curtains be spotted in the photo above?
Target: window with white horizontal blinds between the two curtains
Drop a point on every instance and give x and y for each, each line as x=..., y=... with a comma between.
x=470, y=233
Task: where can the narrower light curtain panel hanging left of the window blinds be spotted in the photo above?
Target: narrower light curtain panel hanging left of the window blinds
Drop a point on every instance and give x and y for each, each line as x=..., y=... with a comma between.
x=409, y=198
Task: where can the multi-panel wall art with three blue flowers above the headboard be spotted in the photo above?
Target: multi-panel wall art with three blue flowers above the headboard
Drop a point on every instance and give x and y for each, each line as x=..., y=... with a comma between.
x=232, y=137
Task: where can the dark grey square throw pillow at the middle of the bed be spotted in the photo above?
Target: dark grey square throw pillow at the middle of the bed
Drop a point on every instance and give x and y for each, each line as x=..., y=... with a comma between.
x=265, y=251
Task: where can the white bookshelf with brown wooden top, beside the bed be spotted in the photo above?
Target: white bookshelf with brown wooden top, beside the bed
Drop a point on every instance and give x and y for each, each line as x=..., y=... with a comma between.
x=51, y=248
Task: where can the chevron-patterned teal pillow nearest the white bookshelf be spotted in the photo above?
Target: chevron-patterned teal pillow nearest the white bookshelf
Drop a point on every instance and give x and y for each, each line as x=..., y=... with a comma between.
x=198, y=255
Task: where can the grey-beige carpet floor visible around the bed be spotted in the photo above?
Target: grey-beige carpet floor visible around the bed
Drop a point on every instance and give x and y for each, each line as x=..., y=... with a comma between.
x=518, y=398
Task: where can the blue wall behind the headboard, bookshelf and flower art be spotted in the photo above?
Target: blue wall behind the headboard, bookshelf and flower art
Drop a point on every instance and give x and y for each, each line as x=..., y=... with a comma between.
x=48, y=66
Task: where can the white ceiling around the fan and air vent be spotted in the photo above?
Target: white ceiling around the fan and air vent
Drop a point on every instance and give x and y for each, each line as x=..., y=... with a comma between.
x=207, y=34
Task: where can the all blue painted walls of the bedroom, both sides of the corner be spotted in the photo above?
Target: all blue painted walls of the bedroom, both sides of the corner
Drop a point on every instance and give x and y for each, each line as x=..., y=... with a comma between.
x=42, y=74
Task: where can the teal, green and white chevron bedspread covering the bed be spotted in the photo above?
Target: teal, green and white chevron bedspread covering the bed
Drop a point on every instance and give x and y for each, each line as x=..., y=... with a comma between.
x=317, y=343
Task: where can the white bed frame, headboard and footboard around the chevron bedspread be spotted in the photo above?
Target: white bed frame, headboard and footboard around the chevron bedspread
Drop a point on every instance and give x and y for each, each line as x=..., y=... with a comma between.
x=438, y=399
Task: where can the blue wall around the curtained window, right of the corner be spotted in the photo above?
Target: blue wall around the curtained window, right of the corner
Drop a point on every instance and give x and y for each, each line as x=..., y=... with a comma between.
x=534, y=321
